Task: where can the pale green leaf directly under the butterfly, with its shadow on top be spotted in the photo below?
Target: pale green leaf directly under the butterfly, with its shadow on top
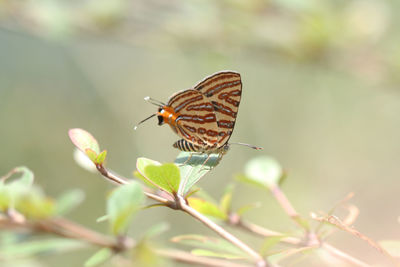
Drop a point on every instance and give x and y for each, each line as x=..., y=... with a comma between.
x=193, y=167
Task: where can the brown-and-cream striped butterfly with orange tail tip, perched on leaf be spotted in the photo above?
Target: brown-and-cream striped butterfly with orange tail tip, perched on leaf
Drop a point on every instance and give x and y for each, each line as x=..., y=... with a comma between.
x=203, y=116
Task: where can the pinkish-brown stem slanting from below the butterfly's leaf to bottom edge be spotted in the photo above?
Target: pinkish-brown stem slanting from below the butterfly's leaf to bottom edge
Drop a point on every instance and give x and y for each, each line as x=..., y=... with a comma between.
x=222, y=232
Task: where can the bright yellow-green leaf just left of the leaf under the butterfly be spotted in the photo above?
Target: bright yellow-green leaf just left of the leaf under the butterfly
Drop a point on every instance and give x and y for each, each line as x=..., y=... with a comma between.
x=166, y=177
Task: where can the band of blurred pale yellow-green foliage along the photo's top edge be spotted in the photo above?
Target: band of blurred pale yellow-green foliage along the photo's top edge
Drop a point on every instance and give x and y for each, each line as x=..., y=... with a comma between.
x=356, y=35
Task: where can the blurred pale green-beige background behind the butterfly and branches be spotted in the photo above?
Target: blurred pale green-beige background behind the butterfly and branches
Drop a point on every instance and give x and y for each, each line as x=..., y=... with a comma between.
x=321, y=95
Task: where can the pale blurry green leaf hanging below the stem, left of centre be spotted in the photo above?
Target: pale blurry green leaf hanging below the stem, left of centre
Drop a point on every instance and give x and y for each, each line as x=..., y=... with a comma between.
x=122, y=205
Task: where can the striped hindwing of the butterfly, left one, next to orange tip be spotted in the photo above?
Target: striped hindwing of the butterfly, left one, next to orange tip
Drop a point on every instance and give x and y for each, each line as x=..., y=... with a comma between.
x=196, y=121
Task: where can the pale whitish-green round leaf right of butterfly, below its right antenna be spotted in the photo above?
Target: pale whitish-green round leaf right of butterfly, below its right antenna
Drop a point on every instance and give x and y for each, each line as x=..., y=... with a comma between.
x=264, y=170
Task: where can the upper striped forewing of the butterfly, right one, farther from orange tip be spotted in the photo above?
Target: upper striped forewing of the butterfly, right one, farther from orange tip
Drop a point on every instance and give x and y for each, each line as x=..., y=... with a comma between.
x=223, y=90
